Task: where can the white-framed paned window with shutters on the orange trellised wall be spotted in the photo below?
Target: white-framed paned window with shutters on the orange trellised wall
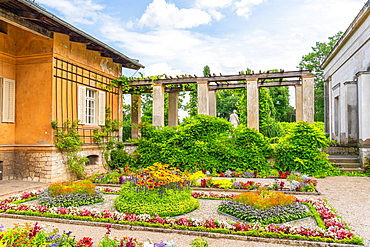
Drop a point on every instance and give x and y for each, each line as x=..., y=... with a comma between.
x=91, y=106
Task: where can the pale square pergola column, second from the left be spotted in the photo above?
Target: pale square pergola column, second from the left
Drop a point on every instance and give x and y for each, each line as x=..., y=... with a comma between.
x=158, y=105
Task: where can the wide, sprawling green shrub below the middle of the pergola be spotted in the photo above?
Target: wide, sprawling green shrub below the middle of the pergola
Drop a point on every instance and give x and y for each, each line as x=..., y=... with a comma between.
x=204, y=143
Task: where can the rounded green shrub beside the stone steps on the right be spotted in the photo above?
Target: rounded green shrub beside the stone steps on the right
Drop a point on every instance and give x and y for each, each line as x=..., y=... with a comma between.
x=301, y=151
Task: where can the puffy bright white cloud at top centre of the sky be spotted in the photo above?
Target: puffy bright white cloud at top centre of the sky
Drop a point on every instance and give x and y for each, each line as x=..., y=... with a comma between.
x=160, y=14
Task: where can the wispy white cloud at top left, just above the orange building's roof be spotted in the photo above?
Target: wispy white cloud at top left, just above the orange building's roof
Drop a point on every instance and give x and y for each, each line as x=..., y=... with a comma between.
x=76, y=11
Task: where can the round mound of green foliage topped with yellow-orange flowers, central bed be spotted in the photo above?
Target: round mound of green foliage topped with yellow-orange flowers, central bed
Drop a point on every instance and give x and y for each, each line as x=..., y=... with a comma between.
x=159, y=190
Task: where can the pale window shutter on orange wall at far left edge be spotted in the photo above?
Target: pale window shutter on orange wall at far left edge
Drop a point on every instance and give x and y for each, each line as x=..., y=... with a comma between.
x=8, y=100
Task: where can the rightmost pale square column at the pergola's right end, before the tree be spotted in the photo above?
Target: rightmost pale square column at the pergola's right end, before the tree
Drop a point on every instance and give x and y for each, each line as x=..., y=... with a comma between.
x=308, y=86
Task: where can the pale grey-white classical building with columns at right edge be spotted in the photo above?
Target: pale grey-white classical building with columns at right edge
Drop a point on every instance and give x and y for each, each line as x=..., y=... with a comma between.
x=347, y=86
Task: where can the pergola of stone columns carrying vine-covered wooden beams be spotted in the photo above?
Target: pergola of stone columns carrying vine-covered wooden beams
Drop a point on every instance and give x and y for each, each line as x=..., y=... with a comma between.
x=302, y=80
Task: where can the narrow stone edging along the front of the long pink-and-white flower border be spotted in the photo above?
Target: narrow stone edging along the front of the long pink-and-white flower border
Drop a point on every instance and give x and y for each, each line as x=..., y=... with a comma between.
x=290, y=242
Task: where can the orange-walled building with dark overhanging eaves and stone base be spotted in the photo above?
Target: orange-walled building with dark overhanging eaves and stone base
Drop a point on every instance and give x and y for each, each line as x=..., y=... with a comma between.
x=50, y=70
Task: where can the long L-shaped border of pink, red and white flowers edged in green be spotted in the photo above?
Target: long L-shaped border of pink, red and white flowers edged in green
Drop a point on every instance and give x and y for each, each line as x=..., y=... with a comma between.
x=332, y=228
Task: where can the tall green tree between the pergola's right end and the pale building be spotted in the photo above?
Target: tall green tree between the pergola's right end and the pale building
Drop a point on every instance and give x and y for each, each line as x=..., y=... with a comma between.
x=312, y=61
